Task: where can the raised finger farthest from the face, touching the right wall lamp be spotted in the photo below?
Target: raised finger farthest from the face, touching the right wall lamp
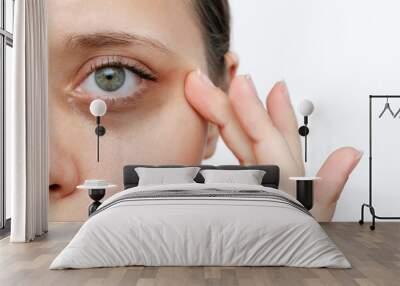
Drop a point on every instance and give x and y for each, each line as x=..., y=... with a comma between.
x=282, y=115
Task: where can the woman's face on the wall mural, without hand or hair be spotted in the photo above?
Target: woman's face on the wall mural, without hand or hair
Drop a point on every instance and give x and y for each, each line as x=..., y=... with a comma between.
x=135, y=58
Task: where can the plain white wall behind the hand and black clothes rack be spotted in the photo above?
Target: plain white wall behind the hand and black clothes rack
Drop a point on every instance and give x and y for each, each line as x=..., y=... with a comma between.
x=335, y=53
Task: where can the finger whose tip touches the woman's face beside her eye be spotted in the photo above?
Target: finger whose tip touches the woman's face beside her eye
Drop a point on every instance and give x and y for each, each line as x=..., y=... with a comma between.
x=213, y=104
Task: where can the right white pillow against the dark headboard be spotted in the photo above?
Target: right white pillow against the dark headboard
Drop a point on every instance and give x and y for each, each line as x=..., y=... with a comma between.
x=248, y=177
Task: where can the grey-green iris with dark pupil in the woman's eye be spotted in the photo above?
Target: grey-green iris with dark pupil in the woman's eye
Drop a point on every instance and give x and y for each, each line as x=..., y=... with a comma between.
x=110, y=78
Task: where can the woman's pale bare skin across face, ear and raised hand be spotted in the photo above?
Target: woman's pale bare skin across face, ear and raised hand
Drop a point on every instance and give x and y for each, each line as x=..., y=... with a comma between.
x=175, y=119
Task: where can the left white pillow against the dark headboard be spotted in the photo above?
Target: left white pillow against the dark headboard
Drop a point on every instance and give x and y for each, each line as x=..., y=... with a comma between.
x=162, y=176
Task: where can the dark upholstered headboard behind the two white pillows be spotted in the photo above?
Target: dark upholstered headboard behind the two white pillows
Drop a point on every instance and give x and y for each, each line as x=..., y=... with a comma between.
x=270, y=179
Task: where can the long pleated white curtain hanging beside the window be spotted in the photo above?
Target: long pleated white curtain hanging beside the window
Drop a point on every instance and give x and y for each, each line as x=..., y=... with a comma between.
x=26, y=124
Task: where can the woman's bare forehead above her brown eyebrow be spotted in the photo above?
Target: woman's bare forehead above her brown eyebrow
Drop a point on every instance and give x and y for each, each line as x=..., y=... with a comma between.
x=169, y=23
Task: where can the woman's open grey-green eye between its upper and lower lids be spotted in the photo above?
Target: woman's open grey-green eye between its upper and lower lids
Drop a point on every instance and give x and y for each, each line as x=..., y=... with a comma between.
x=111, y=82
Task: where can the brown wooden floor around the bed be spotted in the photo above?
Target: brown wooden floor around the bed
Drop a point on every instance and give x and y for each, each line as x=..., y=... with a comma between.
x=375, y=257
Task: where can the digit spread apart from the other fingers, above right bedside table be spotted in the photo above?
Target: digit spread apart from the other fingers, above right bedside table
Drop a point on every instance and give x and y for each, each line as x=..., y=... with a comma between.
x=334, y=174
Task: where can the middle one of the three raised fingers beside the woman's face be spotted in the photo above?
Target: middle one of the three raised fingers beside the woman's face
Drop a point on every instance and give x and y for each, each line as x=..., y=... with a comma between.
x=269, y=146
